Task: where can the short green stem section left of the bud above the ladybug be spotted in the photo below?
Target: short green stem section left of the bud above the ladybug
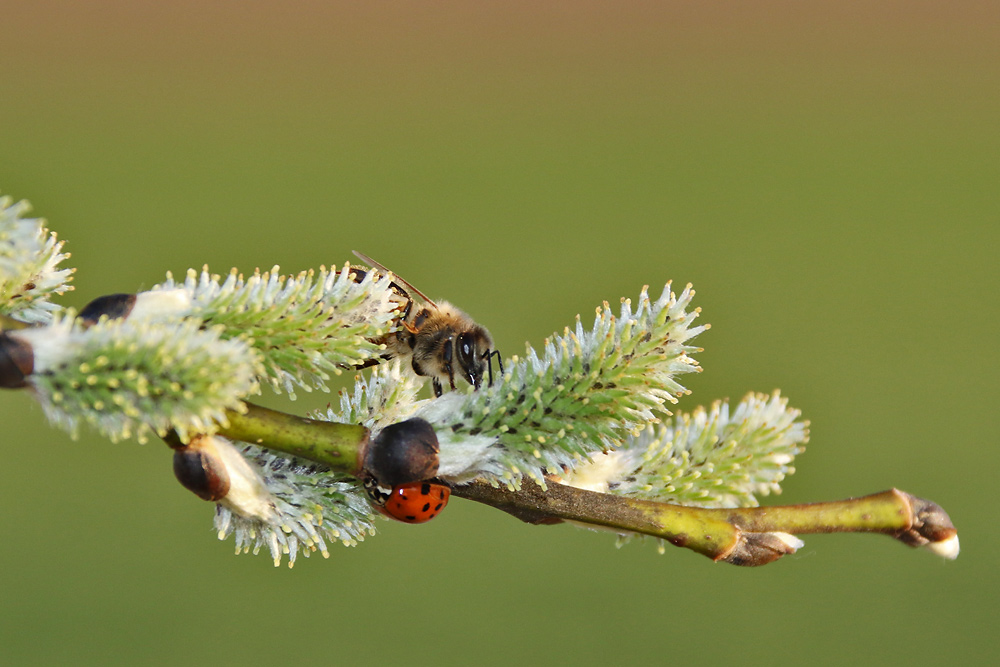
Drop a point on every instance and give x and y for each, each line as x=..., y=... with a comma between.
x=340, y=446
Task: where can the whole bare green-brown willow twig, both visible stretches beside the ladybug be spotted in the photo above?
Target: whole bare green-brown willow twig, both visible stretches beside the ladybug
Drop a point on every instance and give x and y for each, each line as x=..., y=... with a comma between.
x=740, y=536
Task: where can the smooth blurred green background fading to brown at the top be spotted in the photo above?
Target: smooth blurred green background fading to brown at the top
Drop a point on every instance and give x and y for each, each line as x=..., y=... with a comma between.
x=824, y=173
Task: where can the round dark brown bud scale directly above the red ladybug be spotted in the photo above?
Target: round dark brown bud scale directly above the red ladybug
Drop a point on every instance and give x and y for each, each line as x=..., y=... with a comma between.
x=403, y=452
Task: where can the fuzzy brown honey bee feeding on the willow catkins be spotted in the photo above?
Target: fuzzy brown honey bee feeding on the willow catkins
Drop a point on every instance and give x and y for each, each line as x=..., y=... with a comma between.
x=441, y=341
